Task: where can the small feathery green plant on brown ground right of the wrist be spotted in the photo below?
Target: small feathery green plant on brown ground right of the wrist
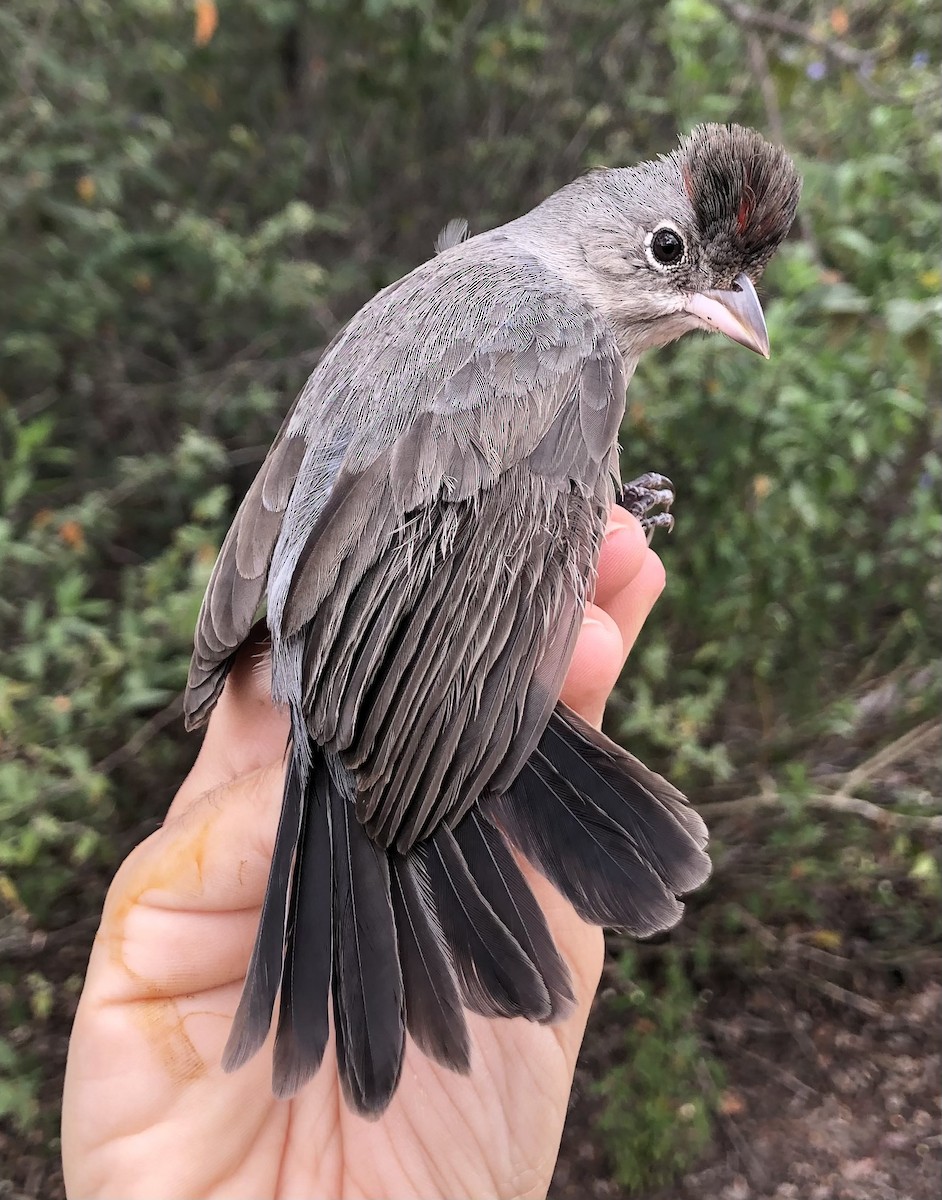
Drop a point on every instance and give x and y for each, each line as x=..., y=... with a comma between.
x=661, y=1101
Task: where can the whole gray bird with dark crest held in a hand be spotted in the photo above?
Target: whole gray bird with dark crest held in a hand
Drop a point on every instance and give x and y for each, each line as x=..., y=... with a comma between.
x=425, y=533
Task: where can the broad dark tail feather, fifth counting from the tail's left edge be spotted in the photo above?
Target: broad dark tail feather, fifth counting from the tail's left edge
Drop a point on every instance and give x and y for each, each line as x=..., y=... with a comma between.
x=495, y=975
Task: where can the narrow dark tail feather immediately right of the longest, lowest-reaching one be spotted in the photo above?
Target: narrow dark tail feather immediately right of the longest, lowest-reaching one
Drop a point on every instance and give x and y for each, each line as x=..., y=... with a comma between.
x=435, y=1017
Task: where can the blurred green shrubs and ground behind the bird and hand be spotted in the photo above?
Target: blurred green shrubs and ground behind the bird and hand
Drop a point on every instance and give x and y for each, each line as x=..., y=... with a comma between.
x=194, y=197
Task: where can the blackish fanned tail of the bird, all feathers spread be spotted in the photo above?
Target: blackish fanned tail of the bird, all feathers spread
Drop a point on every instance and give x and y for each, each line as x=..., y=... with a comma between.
x=385, y=944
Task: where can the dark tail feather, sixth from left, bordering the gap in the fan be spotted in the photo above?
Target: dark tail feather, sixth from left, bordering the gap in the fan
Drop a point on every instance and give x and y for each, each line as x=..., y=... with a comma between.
x=501, y=881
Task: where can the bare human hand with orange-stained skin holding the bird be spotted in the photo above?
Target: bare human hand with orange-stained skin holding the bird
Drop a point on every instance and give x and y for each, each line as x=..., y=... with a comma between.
x=148, y=1111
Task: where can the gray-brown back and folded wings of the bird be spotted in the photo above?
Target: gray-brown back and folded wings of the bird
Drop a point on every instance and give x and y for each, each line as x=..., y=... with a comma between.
x=428, y=555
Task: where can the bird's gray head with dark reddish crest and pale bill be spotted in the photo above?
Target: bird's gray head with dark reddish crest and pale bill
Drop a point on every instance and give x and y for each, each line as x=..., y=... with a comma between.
x=679, y=243
